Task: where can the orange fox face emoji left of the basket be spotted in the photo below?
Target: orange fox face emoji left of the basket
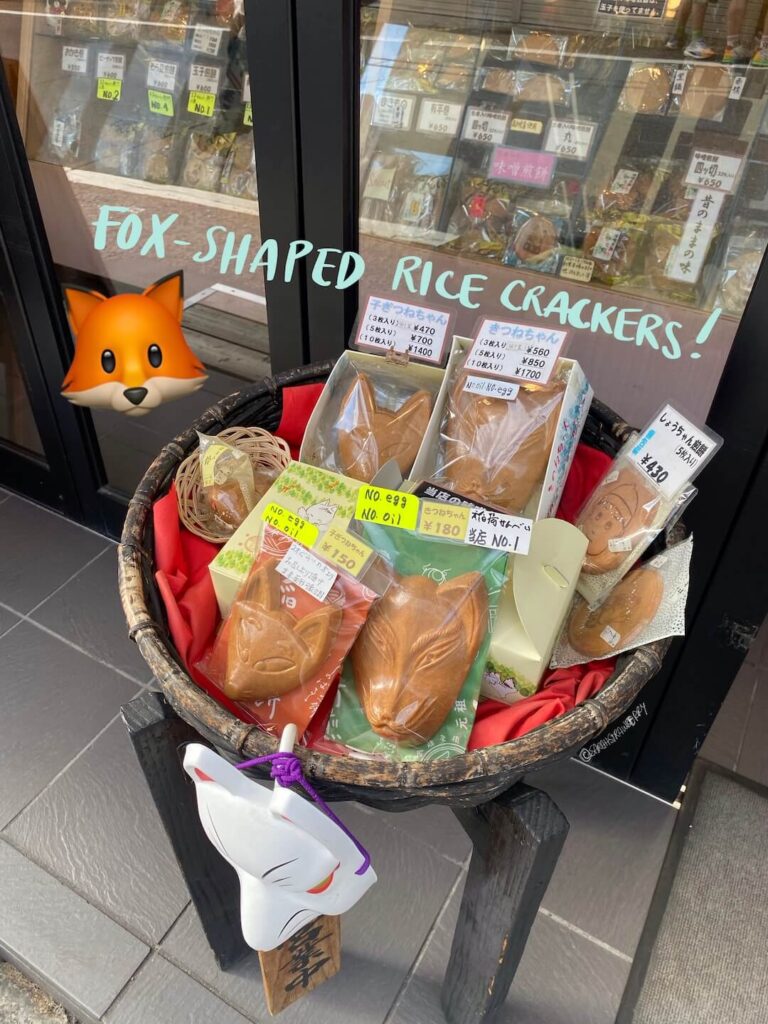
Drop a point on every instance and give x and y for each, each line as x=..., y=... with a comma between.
x=131, y=354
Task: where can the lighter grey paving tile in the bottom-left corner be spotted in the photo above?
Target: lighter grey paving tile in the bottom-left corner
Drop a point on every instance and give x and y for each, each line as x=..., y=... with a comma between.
x=48, y=931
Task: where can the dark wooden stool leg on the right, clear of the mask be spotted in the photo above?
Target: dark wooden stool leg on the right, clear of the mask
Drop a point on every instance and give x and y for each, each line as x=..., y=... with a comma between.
x=518, y=839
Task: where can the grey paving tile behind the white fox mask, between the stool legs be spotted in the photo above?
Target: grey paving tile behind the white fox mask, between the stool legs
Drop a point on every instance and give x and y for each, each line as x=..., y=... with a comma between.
x=381, y=935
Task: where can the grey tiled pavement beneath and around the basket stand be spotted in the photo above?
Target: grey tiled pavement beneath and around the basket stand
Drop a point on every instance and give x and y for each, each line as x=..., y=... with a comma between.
x=92, y=902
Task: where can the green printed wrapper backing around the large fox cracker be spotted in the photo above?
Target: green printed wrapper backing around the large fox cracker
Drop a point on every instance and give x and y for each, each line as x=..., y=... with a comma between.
x=413, y=554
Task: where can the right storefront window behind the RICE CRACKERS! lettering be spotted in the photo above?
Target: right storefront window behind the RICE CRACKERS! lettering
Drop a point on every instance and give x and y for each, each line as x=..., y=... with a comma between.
x=574, y=164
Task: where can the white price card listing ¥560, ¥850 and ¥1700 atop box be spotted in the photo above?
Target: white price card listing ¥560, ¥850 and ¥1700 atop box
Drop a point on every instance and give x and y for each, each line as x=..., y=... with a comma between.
x=516, y=352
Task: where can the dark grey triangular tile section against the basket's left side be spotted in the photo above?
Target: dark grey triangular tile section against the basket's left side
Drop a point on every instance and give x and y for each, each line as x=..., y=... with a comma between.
x=88, y=611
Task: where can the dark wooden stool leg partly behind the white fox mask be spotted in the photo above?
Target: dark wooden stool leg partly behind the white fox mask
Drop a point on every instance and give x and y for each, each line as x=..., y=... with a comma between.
x=159, y=736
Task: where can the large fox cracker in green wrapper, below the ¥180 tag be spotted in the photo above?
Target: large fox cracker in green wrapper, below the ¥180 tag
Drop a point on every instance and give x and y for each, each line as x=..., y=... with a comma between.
x=410, y=688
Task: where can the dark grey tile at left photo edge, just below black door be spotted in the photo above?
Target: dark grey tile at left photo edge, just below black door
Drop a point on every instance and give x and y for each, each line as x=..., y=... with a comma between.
x=32, y=539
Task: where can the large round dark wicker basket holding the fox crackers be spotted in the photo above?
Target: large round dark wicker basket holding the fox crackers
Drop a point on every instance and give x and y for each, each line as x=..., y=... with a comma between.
x=471, y=780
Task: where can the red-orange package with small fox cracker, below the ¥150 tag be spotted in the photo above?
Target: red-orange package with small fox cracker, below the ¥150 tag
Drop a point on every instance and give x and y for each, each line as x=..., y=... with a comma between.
x=281, y=648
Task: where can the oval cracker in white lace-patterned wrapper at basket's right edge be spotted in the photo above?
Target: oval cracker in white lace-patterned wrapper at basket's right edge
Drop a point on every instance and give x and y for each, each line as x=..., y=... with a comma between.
x=648, y=606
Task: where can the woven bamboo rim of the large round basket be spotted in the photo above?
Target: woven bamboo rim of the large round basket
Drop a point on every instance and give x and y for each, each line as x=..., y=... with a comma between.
x=546, y=743
